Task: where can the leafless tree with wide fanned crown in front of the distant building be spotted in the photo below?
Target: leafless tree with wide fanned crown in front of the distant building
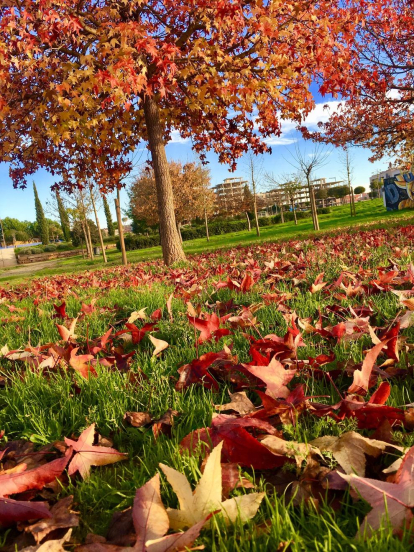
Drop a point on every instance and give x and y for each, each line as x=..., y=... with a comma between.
x=307, y=163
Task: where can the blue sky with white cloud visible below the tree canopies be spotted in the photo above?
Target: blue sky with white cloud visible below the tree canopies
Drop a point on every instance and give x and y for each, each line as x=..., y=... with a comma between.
x=20, y=204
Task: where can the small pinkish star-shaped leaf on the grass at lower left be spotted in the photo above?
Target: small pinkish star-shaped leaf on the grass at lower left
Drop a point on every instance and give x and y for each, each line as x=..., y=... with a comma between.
x=88, y=455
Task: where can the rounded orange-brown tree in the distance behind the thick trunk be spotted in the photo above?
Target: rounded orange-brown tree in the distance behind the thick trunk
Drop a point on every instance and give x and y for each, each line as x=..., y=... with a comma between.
x=191, y=193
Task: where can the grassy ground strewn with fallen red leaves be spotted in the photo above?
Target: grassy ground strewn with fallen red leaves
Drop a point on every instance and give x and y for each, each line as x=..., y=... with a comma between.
x=315, y=306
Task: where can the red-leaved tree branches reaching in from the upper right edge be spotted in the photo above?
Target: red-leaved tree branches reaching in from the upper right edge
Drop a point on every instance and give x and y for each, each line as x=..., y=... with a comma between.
x=377, y=94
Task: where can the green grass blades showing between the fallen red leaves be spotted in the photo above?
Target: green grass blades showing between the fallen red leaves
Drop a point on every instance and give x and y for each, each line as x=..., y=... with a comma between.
x=46, y=406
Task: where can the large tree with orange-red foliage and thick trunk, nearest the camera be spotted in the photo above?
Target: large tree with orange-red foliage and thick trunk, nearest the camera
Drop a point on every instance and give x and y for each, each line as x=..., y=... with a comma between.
x=83, y=84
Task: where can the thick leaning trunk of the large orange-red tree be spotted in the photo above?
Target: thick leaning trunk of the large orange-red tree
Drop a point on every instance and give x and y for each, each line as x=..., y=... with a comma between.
x=172, y=249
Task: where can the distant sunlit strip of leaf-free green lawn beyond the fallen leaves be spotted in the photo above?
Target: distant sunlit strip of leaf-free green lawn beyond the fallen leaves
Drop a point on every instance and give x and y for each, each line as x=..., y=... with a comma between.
x=368, y=212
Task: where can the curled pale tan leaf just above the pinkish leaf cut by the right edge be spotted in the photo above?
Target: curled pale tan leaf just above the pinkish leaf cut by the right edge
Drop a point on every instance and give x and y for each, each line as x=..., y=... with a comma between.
x=350, y=449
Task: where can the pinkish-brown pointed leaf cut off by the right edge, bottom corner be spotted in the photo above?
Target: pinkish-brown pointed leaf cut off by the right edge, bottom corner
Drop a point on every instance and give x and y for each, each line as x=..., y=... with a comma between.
x=389, y=501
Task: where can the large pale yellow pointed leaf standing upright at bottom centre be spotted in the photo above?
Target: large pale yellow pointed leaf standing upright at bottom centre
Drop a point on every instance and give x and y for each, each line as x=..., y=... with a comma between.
x=206, y=498
